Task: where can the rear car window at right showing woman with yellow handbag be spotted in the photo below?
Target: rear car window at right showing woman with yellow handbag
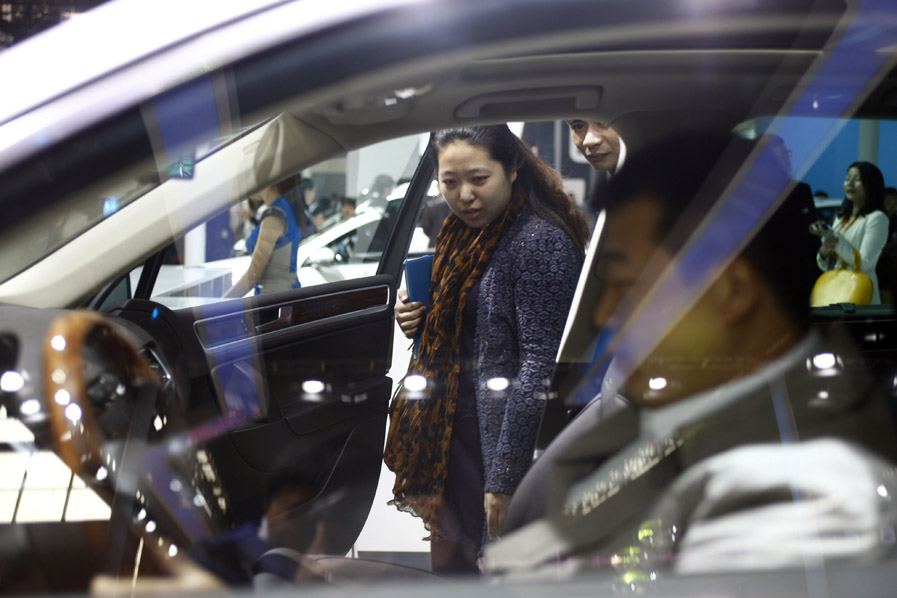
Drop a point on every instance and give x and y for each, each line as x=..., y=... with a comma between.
x=823, y=175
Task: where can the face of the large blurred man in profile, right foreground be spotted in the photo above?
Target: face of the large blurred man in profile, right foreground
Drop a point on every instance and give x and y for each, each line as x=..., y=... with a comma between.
x=672, y=369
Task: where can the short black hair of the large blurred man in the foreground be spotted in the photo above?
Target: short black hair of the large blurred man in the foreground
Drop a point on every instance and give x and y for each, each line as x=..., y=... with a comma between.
x=688, y=172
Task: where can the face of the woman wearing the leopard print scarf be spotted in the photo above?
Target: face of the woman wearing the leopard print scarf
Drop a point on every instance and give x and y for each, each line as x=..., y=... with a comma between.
x=474, y=185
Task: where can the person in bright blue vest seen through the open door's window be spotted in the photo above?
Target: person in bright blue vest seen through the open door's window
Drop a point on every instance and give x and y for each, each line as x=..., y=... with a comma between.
x=273, y=245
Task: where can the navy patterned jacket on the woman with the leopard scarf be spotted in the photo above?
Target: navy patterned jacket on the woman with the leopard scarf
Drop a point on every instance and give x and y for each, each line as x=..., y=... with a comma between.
x=525, y=295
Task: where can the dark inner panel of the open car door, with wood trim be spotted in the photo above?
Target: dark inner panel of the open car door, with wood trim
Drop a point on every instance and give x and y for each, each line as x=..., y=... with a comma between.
x=288, y=385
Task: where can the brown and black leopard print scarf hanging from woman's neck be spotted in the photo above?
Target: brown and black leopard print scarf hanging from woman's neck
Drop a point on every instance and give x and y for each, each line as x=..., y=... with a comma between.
x=420, y=429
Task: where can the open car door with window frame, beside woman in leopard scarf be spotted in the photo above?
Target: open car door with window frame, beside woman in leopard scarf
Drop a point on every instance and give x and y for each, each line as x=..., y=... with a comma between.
x=282, y=390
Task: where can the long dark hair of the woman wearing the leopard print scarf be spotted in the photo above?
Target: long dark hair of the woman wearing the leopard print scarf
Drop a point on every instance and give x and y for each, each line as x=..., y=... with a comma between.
x=541, y=184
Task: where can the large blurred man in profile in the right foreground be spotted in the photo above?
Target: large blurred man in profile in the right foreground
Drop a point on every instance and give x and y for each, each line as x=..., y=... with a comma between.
x=745, y=447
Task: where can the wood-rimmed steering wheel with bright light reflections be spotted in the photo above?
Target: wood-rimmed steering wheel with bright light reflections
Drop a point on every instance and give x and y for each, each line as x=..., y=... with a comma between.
x=92, y=370
